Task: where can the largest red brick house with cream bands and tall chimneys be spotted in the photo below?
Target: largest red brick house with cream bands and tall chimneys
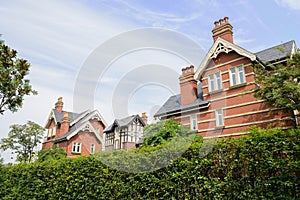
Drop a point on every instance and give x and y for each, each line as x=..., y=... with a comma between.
x=217, y=100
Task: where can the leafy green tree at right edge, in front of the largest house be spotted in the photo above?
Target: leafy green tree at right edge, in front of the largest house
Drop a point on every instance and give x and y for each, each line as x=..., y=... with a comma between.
x=279, y=84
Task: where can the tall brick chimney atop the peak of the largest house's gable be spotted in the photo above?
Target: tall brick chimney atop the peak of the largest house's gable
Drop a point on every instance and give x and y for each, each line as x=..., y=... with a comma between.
x=223, y=30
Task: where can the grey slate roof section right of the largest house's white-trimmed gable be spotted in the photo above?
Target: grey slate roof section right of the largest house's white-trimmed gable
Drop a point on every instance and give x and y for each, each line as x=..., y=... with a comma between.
x=276, y=53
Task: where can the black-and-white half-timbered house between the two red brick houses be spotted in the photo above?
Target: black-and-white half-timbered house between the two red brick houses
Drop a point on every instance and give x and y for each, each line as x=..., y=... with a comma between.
x=125, y=133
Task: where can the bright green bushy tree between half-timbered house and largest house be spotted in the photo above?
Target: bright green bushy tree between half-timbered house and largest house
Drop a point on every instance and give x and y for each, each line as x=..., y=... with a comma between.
x=164, y=131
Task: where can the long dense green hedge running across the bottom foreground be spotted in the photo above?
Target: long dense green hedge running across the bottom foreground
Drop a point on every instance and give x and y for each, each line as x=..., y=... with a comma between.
x=264, y=165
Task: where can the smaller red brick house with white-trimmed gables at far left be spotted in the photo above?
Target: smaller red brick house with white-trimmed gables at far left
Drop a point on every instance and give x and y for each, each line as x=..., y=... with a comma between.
x=76, y=133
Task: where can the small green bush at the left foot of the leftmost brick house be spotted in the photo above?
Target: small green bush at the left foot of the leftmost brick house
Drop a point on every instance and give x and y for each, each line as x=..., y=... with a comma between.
x=53, y=153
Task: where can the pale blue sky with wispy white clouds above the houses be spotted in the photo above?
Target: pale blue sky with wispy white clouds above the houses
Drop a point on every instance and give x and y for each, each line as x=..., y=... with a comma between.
x=57, y=37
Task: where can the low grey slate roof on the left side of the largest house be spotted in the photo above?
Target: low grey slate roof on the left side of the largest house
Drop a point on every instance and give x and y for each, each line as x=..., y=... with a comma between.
x=173, y=105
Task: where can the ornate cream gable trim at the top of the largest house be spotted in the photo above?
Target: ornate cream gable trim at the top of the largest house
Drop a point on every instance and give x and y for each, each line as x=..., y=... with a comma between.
x=218, y=47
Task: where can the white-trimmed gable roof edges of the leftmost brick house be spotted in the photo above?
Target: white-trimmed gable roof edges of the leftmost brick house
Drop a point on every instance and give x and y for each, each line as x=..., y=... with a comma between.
x=81, y=122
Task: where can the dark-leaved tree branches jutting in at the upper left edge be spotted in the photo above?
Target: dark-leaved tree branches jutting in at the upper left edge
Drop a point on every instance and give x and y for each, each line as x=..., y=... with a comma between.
x=13, y=84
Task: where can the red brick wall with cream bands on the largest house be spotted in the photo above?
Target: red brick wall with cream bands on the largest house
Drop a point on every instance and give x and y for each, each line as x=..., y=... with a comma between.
x=241, y=109
